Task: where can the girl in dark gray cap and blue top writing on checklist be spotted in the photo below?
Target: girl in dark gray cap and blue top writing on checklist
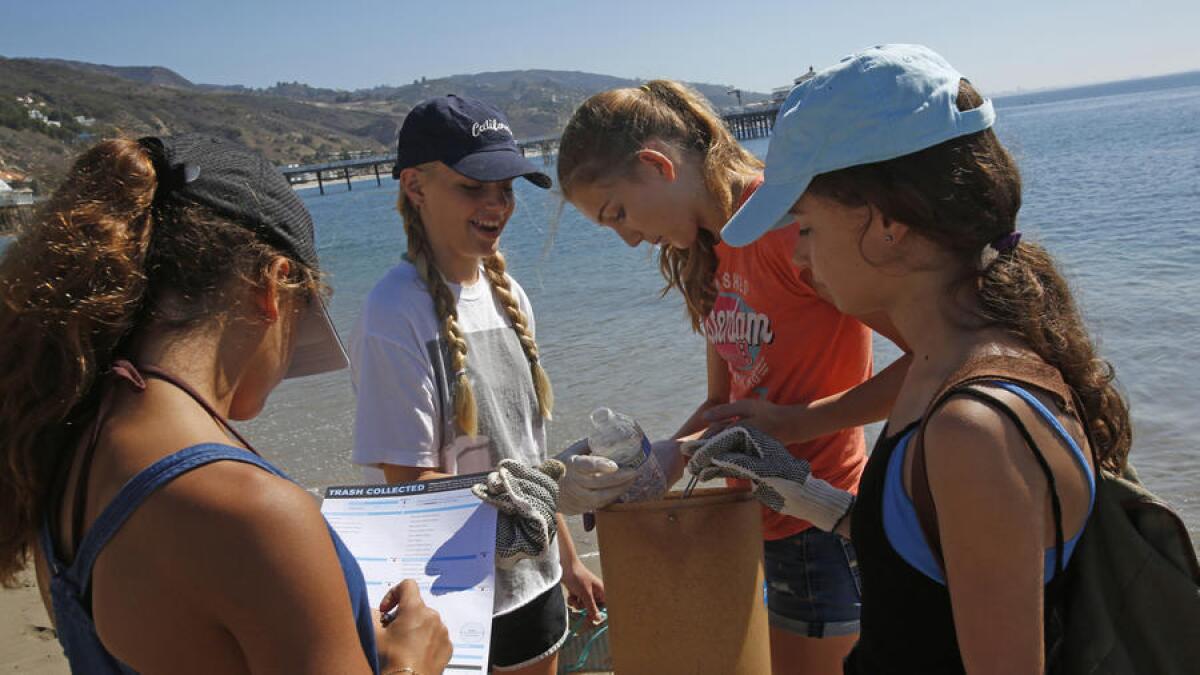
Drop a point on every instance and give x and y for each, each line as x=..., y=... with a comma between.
x=167, y=288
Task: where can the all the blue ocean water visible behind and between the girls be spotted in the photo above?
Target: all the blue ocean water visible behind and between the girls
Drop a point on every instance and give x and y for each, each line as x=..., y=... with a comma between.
x=1112, y=187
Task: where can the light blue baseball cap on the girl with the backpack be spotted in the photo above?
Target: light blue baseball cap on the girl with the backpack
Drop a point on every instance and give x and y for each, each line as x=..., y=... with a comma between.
x=878, y=105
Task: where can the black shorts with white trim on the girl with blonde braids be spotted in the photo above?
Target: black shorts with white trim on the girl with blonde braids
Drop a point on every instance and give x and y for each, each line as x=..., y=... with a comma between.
x=530, y=634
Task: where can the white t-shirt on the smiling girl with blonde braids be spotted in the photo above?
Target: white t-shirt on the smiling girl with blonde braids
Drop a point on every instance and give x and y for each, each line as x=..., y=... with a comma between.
x=405, y=387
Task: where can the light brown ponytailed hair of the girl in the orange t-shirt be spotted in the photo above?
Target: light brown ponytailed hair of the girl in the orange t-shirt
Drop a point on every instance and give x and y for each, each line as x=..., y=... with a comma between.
x=603, y=139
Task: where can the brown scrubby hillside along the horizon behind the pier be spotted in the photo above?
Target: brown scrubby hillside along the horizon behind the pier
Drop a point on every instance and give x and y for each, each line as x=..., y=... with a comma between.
x=76, y=104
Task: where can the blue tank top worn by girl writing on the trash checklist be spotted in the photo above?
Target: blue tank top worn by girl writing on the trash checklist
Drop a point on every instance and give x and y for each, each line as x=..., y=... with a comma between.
x=70, y=584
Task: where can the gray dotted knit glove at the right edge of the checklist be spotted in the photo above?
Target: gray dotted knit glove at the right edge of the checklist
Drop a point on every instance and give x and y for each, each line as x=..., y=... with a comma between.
x=526, y=499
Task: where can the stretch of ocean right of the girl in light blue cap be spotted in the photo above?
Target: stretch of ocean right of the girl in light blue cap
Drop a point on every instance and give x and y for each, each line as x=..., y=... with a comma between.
x=1113, y=189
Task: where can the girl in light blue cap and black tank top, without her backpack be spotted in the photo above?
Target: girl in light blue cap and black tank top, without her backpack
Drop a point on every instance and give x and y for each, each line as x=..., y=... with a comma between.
x=977, y=491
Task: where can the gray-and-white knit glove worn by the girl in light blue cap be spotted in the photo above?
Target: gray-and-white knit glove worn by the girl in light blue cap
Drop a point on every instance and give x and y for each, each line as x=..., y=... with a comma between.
x=782, y=482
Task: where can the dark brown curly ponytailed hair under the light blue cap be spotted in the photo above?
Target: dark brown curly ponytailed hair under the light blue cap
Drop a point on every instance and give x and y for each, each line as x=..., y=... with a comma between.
x=964, y=195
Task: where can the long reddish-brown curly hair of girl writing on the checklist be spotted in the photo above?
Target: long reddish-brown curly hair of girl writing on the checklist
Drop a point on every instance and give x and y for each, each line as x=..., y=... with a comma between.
x=101, y=262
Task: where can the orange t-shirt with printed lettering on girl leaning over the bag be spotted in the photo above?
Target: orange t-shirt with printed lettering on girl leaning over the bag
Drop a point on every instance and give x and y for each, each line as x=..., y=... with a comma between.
x=787, y=345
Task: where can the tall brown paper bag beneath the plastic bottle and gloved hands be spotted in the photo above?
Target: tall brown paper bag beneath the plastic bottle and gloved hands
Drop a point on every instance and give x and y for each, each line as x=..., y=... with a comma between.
x=683, y=581
